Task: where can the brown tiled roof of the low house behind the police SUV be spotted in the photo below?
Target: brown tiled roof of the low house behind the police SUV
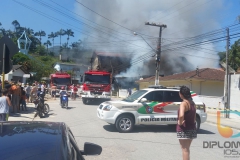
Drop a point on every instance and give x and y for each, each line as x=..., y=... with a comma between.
x=205, y=81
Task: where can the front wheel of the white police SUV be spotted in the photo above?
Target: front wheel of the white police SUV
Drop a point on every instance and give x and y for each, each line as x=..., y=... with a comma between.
x=124, y=124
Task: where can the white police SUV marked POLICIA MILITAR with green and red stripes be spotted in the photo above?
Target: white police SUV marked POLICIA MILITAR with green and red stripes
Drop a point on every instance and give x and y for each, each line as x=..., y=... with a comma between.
x=155, y=105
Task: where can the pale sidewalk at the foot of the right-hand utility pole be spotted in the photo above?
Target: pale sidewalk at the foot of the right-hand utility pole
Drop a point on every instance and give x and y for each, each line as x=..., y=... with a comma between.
x=232, y=122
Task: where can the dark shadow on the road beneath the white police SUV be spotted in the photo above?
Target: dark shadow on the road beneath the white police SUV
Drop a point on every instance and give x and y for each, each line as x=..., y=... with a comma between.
x=152, y=128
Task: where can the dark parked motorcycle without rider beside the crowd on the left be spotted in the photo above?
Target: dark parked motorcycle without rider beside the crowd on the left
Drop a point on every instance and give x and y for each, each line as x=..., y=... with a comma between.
x=41, y=107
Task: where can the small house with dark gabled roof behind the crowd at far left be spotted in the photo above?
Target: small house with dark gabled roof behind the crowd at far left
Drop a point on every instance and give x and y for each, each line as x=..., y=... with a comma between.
x=17, y=73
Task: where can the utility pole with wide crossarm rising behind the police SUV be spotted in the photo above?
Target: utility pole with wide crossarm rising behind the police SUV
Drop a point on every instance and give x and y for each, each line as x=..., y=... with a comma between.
x=159, y=49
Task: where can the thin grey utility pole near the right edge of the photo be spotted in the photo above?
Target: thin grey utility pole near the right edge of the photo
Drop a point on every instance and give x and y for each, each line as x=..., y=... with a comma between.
x=226, y=96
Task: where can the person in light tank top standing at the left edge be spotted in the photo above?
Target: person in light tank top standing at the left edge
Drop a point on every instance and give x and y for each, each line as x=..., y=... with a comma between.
x=5, y=103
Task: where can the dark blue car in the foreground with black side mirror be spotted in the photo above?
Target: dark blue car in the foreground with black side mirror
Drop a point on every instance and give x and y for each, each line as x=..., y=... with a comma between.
x=41, y=140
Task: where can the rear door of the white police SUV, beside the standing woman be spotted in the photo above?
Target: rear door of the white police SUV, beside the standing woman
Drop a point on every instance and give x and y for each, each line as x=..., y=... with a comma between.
x=172, y=101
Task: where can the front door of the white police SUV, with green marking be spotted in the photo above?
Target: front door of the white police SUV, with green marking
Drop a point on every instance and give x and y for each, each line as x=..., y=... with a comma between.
x=148, y=113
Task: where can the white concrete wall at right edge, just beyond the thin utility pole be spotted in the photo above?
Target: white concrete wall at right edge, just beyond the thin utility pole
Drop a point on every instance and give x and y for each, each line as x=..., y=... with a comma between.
x=235, y=91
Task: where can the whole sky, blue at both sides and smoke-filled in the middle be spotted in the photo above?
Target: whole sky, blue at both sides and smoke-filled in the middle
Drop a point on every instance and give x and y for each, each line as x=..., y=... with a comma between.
x=109, y=25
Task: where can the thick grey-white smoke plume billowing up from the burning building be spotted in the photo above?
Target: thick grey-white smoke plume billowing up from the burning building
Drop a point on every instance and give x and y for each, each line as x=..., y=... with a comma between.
x=184, y=19
